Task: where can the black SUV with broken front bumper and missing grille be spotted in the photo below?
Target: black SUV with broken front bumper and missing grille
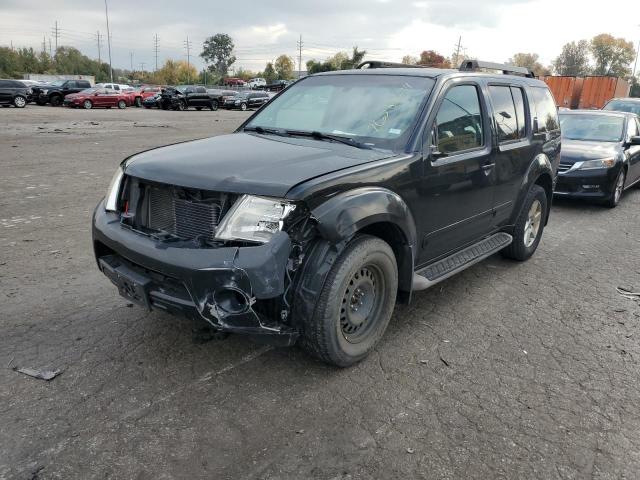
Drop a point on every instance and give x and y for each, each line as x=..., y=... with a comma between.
x=346, y=193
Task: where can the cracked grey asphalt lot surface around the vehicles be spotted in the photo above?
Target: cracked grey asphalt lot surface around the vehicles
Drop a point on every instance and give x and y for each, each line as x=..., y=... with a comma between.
x=505, y=371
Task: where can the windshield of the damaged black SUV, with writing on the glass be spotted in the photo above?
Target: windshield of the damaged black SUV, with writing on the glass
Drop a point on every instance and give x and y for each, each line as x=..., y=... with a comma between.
x=376, y=109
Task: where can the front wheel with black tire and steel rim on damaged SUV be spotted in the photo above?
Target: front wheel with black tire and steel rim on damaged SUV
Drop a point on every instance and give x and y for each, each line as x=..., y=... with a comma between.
x=365, y=276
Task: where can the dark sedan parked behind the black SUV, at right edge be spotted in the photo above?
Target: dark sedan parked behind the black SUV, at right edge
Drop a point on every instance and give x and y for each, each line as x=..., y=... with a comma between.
x=600, y=155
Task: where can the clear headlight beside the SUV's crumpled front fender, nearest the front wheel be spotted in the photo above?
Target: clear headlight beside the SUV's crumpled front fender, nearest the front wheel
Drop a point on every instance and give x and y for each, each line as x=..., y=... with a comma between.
x=253, y=218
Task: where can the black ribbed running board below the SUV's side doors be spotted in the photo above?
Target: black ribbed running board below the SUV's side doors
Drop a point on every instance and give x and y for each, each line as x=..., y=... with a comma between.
x=436, y=272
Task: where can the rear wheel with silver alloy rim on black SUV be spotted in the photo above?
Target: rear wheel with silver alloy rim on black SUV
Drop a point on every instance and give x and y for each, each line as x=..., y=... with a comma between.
x=524, y=244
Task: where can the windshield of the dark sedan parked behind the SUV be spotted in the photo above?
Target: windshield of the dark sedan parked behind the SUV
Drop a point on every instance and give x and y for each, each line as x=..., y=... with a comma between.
x=595, y=127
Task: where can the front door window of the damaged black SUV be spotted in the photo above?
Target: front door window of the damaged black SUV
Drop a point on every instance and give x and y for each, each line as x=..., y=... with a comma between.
x=459, y=120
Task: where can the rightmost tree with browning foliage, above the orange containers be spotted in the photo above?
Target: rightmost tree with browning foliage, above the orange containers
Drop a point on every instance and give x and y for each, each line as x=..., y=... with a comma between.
x=612, y=56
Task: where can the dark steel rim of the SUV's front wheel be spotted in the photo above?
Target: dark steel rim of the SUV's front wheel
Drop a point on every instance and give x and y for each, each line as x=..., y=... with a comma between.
x=361, y=303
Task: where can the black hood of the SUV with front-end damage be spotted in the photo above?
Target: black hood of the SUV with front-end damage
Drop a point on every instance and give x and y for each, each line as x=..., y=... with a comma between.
x=246, y=163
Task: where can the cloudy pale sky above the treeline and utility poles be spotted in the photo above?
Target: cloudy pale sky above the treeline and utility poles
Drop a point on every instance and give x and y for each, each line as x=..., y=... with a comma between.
x=491, y=30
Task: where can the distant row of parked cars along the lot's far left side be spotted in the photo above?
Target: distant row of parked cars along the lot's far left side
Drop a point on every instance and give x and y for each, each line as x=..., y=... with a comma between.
x=80, y=94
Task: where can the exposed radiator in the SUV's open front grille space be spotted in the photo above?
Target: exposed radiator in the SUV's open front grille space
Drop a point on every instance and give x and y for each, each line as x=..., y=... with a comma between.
x=179, y=212
